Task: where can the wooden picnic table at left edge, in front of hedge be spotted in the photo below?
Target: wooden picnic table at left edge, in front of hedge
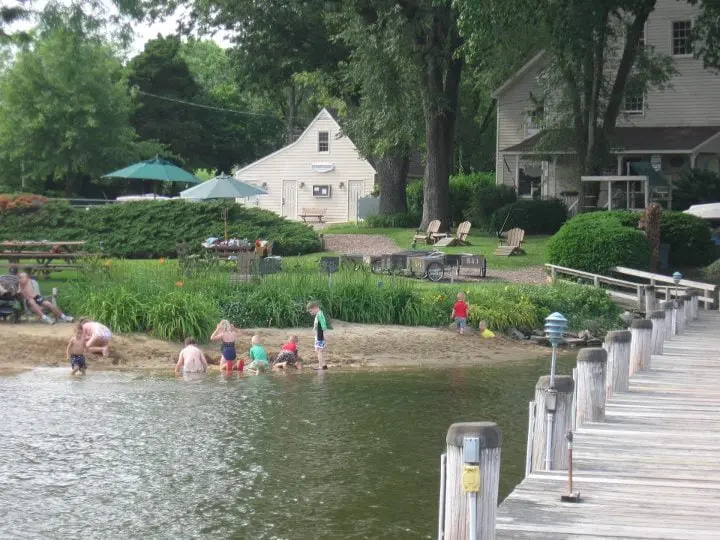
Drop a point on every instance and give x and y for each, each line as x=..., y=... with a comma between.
x=47, y=257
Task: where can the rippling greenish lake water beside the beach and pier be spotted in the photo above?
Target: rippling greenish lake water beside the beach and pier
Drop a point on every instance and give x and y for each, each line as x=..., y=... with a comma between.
x=328, y=455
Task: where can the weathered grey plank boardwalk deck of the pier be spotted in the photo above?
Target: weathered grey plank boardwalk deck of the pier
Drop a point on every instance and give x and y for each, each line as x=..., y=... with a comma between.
x=652, y=470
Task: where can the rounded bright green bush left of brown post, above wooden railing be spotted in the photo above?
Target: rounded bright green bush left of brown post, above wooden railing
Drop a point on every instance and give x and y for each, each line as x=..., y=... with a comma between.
x=595, y=245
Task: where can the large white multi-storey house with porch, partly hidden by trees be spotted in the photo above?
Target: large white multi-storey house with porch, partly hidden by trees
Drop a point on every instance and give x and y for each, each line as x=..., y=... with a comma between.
x=667, y=130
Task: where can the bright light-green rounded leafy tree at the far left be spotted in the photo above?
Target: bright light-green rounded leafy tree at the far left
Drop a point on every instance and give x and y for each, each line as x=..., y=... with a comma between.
x=64, y=113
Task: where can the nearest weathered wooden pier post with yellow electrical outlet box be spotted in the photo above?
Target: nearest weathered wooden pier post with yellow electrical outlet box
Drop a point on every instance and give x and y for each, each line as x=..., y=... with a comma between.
x=458, y=508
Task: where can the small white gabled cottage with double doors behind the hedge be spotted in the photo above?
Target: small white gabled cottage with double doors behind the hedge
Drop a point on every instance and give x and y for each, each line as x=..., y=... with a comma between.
x=320, y=173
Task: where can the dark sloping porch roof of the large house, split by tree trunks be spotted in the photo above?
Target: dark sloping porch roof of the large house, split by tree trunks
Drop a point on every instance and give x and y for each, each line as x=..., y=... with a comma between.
x=624, y=140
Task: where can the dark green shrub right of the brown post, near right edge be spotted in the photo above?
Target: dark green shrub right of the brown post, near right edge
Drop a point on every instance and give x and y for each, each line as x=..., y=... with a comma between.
x=689, y=238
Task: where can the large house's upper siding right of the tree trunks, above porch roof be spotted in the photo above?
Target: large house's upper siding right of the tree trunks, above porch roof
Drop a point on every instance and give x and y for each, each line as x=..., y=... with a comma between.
x=694, y=96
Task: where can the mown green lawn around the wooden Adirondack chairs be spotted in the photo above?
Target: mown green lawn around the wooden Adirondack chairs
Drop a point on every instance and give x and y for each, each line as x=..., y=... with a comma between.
x=480, y=244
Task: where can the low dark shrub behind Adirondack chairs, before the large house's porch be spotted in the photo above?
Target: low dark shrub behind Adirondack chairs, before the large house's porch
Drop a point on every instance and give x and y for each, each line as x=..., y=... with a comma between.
x=534, y=216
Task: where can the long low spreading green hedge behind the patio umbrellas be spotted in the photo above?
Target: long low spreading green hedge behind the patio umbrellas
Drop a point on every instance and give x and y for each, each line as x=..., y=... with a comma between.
x=147, y=229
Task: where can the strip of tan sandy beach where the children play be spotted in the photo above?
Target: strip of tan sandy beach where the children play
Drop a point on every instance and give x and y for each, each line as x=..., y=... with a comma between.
x=29, y=344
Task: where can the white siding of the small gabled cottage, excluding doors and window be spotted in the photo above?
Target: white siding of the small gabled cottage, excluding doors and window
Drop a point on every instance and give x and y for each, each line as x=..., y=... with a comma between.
x=294, y=162
